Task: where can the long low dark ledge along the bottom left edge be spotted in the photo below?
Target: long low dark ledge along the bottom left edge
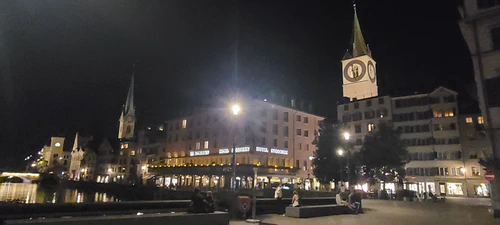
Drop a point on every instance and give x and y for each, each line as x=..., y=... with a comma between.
x=216, y=218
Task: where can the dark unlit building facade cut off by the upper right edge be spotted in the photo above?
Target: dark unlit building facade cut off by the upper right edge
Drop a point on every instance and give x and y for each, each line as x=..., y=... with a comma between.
x=480, y=26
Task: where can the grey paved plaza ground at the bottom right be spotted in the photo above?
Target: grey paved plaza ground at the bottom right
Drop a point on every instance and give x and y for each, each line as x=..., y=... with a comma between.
x=380, y=212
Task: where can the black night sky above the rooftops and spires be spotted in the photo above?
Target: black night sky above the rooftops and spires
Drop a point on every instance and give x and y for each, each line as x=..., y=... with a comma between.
x=65, y=65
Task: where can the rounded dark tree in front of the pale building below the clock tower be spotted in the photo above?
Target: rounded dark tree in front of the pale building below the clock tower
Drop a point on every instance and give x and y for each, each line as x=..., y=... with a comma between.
x=384, y=155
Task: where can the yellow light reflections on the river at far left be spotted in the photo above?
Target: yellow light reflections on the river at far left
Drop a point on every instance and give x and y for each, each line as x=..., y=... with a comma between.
x=33, y=193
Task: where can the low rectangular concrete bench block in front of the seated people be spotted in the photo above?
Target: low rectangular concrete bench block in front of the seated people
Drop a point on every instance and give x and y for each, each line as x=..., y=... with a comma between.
x=316, y=210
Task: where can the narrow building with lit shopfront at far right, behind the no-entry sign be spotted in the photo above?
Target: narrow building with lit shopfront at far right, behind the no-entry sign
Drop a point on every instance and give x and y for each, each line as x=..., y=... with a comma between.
x=475, y=146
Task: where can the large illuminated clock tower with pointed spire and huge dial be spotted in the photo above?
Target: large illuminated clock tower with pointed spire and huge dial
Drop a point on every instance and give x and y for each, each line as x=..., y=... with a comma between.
x=358, y=67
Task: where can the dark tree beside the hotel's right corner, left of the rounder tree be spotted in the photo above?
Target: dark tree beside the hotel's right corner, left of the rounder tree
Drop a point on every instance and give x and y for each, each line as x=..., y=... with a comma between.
x=326, y=162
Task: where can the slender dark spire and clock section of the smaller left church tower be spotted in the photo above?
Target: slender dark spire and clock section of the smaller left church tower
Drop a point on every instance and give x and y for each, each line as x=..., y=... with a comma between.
x=127, y=118
